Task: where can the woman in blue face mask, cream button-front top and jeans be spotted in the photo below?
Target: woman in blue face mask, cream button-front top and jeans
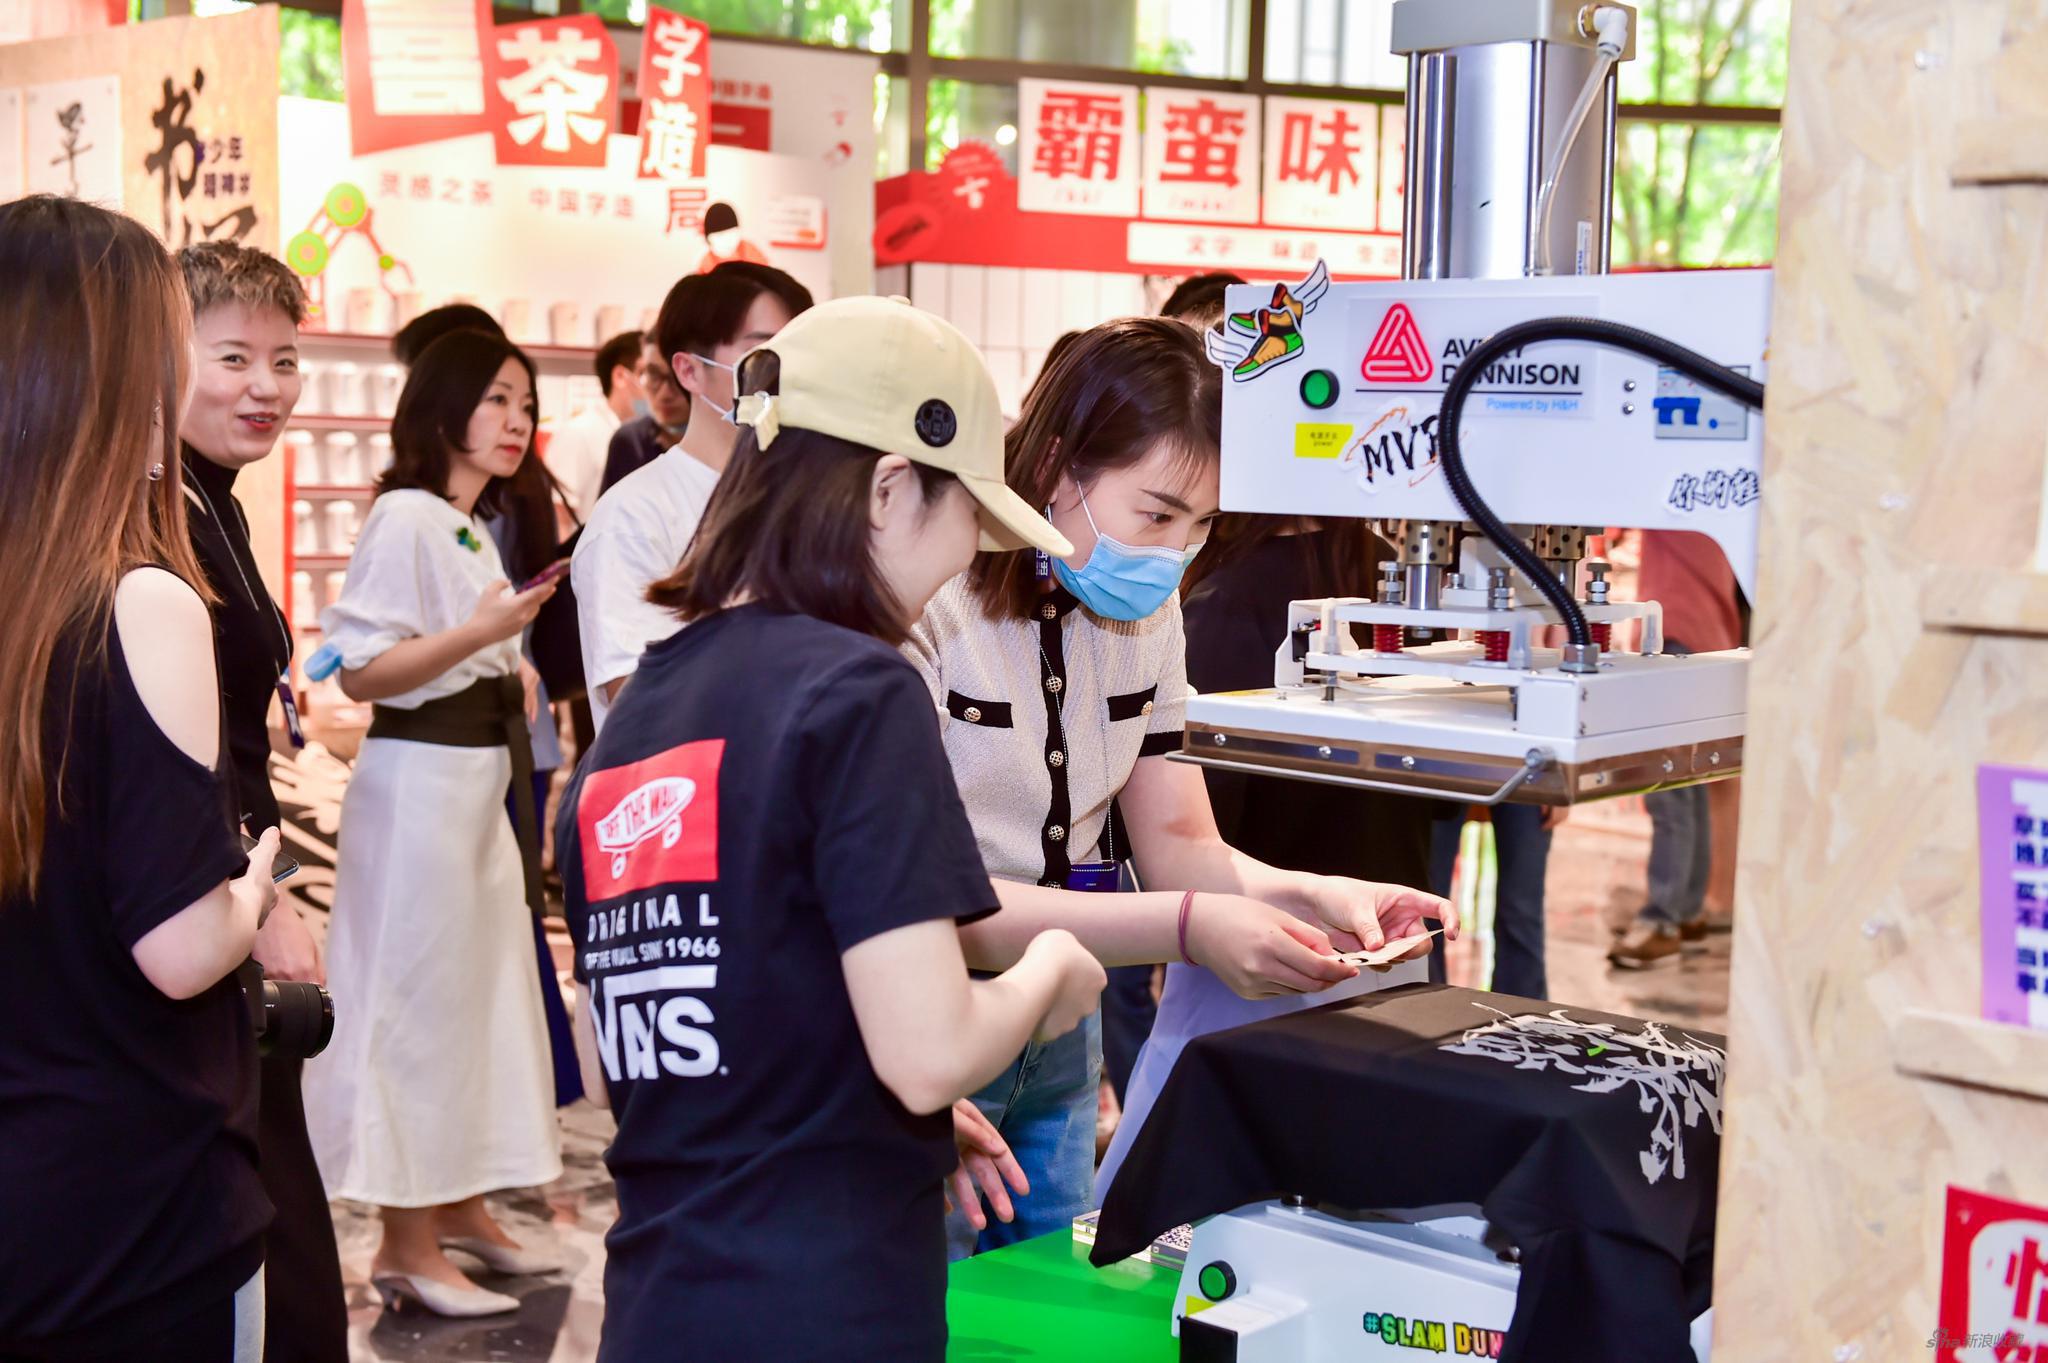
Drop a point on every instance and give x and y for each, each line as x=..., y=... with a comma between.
x=1062, y=687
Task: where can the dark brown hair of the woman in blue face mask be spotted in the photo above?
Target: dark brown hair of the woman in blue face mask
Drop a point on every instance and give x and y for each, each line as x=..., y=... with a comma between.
x=1103, y=404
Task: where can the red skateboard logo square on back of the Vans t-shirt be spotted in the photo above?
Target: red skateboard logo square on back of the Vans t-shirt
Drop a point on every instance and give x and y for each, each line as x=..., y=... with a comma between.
x=652, y=824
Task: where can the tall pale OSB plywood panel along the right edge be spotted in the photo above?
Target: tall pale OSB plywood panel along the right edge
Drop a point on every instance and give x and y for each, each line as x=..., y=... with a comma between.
x=1906, y=431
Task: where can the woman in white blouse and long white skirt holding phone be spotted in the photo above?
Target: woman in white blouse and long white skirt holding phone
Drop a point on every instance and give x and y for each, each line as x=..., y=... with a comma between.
x=437, y=1088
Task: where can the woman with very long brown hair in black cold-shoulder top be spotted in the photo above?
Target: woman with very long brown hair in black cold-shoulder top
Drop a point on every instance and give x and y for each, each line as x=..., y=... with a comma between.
x=128, y=1086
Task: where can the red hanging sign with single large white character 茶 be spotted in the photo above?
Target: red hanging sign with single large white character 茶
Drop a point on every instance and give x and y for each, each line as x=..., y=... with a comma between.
x=552, y=91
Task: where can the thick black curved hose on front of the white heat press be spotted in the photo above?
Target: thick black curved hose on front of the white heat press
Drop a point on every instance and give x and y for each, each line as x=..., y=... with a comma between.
x=1474, y=367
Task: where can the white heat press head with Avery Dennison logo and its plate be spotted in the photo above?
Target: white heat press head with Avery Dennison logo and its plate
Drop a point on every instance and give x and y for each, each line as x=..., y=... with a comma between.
x=1564, y=433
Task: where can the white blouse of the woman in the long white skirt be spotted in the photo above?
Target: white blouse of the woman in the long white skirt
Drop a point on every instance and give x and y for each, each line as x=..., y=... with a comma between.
x=419, y=570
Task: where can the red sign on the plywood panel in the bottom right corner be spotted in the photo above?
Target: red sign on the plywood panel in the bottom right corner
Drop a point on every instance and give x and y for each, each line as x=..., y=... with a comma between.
x=1994, y=1282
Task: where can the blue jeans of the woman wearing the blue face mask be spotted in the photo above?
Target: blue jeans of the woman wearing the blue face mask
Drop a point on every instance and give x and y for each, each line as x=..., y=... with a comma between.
x=1046, y=1108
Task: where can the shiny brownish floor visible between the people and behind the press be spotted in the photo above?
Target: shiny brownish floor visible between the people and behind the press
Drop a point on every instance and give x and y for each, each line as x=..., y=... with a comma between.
x=1596, y=883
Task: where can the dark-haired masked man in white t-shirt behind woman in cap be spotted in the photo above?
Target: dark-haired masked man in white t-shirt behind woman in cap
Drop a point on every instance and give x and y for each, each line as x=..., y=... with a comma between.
x=642, y=525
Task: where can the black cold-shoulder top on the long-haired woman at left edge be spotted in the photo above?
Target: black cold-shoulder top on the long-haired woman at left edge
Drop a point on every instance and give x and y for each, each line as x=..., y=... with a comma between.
x=128, y=1120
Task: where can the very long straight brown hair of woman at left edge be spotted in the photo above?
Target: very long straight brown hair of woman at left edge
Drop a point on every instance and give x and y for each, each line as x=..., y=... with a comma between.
x=95, y=349
